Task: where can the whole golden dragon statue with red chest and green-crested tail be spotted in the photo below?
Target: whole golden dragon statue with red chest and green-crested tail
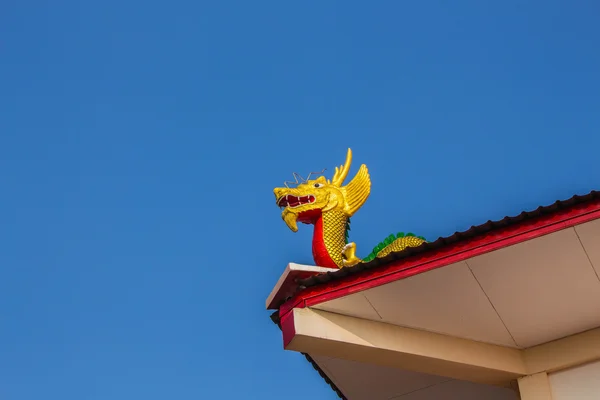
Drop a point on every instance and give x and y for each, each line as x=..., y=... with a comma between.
x=328, y=205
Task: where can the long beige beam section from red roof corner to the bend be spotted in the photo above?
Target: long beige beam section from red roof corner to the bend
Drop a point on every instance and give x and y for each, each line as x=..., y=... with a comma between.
x=334, y=335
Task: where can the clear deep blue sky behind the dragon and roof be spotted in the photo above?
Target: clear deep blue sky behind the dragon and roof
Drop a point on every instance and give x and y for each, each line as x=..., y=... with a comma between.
x=140, y=143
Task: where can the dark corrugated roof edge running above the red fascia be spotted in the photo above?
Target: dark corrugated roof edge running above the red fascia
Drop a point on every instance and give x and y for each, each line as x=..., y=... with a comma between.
x=576, y=206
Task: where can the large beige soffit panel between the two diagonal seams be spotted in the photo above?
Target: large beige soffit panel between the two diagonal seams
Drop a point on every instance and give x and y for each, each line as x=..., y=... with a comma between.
x=543, y=289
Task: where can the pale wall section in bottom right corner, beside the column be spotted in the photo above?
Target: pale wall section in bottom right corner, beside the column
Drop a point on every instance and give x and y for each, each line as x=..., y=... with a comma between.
x=577, y=383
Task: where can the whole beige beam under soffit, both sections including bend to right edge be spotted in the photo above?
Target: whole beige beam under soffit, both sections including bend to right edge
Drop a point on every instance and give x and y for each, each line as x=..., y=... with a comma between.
x=328, y=334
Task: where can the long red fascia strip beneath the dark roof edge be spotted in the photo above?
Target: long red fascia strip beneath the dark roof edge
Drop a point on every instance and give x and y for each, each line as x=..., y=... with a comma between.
x=450, y=254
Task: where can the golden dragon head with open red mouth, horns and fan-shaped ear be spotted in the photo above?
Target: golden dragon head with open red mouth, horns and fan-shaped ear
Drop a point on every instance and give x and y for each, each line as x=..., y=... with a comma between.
x=311, y=198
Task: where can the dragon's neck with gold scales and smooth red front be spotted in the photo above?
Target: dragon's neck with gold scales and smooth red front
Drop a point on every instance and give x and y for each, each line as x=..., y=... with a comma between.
x=329, y=239
